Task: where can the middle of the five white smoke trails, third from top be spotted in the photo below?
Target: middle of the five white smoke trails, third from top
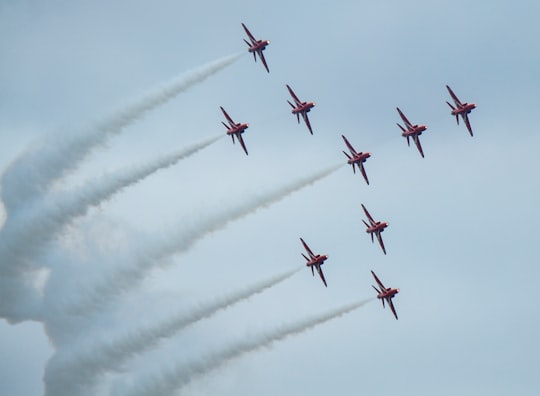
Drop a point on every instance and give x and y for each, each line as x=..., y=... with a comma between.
x=148, y=258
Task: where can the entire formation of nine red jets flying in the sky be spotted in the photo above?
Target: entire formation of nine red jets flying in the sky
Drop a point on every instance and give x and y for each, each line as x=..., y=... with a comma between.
x=354, y=158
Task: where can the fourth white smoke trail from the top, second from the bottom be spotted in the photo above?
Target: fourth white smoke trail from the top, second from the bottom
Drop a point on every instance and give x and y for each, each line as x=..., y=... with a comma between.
x=76, y=372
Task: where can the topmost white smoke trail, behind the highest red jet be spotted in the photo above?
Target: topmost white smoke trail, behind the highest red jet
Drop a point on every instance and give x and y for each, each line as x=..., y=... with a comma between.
x=33, y=172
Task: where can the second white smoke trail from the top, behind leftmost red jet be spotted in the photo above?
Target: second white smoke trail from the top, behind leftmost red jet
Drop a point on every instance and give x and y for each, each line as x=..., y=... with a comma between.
x=26, y=234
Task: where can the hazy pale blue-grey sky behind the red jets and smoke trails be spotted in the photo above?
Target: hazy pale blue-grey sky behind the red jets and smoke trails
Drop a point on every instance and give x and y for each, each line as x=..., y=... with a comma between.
x=462, y=240
